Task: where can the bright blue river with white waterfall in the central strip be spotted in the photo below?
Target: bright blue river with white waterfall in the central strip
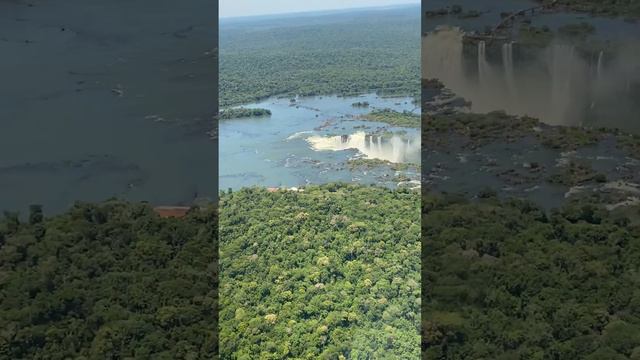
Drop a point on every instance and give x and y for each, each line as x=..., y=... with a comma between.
x=310, y=141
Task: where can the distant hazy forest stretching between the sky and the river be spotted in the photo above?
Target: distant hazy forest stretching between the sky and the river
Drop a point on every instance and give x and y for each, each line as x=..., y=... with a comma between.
x=342, y=54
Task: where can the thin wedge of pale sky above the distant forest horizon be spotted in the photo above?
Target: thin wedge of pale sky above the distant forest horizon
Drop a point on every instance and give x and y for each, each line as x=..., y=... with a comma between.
x=233, y=8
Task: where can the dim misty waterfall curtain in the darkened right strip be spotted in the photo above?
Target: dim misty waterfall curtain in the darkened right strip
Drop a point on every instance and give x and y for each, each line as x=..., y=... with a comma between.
x=555, y=85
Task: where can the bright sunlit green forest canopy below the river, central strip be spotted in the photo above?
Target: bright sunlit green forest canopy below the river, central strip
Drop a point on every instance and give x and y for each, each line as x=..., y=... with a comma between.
x=329, y=273
